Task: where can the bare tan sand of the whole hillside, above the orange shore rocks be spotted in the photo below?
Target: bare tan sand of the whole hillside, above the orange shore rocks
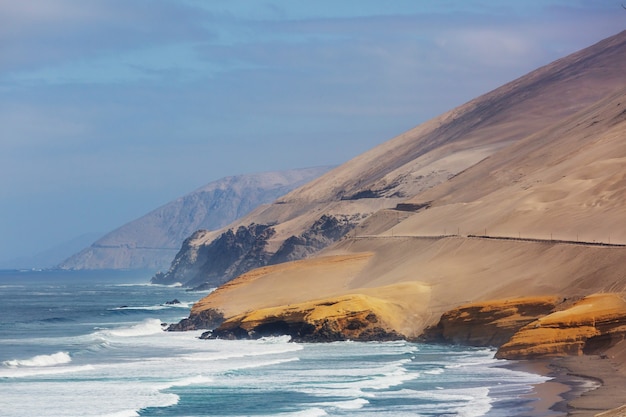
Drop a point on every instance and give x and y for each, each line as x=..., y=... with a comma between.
x=548, y=162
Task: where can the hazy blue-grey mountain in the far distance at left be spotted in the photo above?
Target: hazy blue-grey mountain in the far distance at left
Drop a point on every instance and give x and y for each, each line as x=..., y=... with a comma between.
x=152, y=241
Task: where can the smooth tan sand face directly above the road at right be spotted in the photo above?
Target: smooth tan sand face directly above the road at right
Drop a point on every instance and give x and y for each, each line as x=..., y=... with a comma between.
x=565, y=182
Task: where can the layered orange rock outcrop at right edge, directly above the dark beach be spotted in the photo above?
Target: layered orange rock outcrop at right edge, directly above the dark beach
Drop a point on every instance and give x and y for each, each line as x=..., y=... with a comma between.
x=590, y=326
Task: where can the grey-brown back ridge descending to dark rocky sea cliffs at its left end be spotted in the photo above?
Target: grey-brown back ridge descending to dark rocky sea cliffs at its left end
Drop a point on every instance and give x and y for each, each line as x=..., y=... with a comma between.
x=389, y=175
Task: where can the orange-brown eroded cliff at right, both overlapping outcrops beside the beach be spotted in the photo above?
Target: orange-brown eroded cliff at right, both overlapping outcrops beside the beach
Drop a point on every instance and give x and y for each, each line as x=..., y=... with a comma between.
x=537, y=327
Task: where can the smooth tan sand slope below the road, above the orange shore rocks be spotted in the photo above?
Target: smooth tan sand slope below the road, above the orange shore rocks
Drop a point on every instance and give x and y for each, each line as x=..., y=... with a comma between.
x=451, y=271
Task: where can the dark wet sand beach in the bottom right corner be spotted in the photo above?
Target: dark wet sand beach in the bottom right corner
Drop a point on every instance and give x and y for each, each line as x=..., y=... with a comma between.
x=580, y=386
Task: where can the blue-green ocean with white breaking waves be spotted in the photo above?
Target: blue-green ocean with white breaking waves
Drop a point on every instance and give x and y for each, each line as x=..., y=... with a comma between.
x=92, y=344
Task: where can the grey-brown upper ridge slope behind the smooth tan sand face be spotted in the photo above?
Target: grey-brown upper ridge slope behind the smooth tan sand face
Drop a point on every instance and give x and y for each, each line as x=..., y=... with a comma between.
x=441, y=148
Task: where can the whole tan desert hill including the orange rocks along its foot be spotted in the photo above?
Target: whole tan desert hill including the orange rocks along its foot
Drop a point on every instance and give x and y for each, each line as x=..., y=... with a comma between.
x=531, y=220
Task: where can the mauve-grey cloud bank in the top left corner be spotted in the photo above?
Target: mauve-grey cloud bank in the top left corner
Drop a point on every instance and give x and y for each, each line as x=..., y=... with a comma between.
x=52, y=32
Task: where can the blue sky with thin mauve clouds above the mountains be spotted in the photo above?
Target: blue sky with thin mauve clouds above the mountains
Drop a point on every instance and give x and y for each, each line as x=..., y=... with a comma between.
x=112, y=108
